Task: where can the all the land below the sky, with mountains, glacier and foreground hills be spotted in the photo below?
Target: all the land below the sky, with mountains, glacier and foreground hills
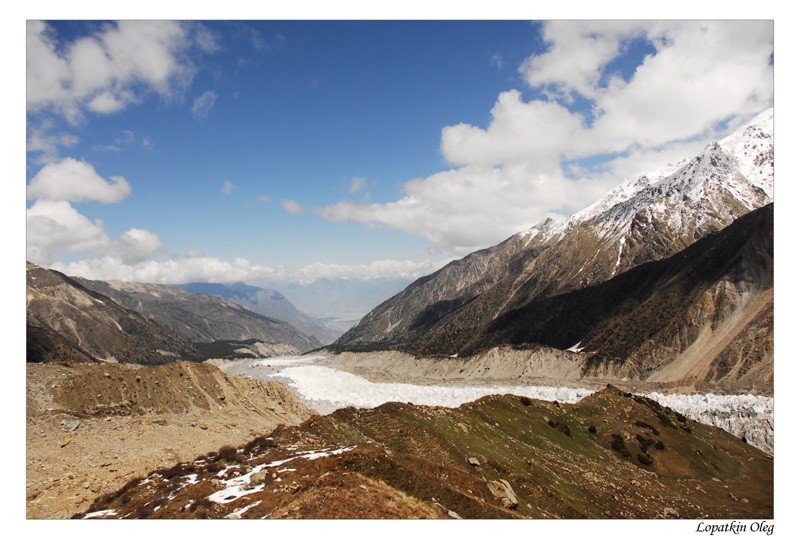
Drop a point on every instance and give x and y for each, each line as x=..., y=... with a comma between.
x=616, y=365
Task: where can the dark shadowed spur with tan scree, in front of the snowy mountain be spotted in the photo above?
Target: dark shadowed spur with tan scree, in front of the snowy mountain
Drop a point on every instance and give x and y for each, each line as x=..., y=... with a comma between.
x=701, y=317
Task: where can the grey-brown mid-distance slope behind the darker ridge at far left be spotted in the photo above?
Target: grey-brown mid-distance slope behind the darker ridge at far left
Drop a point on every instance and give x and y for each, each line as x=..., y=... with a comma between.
x=202, y=318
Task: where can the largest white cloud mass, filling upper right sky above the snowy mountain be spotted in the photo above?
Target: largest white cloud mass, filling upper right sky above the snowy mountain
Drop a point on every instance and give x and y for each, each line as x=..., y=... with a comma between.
x=509, y=175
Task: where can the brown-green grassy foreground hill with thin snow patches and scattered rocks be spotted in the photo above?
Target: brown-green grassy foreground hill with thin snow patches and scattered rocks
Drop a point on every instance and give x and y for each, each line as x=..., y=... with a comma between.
x=613, y=455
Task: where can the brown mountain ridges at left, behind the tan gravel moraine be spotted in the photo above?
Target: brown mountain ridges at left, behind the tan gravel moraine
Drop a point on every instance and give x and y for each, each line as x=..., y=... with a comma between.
x=86, y=320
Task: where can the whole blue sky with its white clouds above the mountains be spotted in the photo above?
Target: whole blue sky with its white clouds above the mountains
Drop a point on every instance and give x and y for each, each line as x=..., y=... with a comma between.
x=173, y=151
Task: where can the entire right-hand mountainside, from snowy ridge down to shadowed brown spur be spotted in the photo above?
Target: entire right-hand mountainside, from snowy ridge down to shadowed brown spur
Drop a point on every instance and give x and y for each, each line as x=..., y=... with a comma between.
x=619, y=280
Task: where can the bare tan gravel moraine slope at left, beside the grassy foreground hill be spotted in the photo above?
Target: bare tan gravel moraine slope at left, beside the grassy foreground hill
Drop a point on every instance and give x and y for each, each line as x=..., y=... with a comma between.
x=92, y=428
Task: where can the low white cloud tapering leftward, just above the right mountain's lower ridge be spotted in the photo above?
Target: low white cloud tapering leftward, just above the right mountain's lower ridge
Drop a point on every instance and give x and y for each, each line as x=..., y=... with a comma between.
x=474, y=206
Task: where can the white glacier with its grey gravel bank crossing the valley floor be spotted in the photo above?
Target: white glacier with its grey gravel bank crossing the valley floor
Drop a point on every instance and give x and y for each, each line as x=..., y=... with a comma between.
x=328, y=383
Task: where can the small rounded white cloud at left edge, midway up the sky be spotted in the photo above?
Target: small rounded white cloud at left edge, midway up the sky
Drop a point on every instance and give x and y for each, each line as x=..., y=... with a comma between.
x=76, y=180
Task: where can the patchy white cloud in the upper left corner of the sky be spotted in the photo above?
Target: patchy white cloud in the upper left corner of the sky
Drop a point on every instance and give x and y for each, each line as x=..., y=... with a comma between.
x=110, y=69
